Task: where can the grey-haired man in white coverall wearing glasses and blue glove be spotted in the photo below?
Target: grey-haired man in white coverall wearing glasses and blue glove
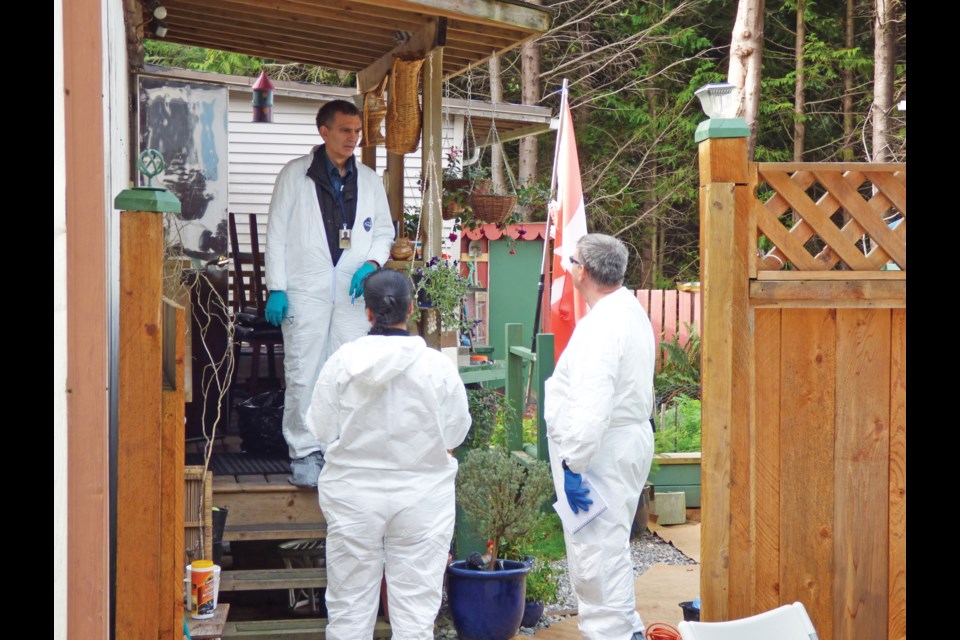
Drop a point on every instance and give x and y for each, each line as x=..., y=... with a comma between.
x=597, y=407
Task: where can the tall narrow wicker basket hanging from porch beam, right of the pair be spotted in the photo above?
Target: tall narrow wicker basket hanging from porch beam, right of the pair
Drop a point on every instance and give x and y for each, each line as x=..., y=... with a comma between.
x=404, y=118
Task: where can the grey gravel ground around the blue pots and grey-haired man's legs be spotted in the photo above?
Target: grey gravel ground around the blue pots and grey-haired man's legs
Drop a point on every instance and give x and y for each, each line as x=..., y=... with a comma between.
x=647, y=550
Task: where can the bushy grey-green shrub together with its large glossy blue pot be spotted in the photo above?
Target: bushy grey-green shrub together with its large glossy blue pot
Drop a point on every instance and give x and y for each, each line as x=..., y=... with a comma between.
x=502, y=497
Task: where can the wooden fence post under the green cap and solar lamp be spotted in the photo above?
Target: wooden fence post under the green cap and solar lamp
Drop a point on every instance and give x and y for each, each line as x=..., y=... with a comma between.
x=725, y=543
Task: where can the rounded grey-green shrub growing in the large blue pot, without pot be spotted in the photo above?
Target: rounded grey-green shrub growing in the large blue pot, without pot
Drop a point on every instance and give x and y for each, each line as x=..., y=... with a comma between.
x=501, y=496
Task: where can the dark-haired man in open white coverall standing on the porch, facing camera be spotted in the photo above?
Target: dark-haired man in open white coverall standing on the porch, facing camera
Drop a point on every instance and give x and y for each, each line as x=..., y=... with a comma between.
x=329, y=227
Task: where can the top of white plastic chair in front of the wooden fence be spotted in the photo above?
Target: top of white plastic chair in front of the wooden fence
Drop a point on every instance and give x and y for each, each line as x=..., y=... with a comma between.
x=789, y=622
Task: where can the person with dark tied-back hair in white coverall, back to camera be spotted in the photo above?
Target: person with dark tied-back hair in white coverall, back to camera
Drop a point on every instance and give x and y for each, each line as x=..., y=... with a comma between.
x=388, y=411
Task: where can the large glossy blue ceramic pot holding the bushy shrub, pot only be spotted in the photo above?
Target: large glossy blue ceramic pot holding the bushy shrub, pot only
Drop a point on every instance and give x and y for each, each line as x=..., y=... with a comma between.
x=487, y=605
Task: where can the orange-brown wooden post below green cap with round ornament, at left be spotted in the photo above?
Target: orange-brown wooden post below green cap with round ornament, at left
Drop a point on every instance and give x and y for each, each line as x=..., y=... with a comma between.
x=139, y=419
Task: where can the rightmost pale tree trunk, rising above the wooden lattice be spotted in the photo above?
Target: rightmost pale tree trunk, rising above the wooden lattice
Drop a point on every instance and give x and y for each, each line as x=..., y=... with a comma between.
x=884, y=59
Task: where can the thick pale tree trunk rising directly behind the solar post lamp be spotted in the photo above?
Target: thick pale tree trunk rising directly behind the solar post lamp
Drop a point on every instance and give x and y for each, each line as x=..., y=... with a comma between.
x=746, y=48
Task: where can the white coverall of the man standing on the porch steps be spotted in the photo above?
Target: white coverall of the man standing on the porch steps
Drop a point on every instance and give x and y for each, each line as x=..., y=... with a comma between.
x=320, y=316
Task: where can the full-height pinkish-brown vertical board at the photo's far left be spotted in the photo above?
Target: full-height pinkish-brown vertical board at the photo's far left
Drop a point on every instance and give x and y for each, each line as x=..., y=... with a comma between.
x=87, y=563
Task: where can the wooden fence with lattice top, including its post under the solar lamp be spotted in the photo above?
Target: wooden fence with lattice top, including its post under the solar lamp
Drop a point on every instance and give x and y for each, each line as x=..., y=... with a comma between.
x=804, y=390
